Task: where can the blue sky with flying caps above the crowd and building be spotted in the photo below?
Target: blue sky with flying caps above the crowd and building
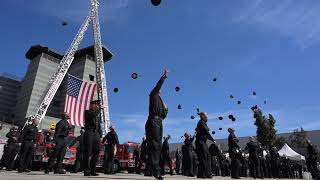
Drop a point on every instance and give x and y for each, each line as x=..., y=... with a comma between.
x=267, y=46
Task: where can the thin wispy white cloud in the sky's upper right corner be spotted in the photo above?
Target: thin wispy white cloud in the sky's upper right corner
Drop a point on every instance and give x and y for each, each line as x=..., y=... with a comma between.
x=298, y=20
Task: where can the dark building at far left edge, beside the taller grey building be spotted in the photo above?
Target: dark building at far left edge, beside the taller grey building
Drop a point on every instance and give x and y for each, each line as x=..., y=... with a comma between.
x=9, y=89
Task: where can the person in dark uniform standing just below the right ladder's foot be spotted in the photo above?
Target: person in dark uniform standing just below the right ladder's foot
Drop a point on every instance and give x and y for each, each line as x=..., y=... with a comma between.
x=112, y=143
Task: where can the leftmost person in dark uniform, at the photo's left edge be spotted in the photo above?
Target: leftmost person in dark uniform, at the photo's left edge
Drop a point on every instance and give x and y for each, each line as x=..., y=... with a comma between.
x=11, y=149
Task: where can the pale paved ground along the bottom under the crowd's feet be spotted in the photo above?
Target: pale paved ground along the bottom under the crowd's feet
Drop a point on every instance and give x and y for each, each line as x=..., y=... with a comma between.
x=40, y=176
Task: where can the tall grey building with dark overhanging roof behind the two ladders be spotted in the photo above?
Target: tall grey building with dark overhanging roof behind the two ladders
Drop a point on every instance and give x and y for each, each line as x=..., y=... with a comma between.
x=43, y=63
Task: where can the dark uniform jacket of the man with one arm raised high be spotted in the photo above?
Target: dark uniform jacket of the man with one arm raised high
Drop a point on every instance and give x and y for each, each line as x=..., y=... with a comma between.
x=157, y=107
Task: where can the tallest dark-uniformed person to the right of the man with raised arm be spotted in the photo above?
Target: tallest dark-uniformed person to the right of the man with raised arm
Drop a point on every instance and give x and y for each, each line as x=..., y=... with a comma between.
x=202, y=130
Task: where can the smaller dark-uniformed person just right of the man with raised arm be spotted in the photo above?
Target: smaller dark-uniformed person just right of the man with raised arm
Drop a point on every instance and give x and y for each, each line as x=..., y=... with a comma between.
x=165, y=156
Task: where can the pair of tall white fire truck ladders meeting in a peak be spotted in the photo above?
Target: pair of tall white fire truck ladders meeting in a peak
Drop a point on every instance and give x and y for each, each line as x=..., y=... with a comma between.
x=66, y=62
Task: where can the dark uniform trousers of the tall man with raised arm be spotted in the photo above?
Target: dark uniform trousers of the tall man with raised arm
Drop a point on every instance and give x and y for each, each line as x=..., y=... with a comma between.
x=154, y=132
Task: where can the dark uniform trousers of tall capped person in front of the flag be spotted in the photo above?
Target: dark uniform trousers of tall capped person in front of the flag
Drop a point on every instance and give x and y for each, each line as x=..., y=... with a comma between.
x=91, y=151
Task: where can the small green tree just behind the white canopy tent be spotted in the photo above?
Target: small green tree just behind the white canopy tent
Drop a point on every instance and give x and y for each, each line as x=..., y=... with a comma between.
x=298, y=138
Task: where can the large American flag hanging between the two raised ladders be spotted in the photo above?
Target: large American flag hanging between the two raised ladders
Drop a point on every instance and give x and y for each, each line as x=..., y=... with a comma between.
x=79, y=95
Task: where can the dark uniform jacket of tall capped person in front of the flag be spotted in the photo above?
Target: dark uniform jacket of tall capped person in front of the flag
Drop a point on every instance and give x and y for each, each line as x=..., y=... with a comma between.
x=93, y=121
